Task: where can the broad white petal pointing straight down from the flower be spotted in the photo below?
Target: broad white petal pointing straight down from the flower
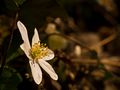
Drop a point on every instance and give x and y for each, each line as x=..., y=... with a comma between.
x=36, y=72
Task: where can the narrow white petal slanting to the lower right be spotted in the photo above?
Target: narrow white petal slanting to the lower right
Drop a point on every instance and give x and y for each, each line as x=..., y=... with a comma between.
x=48, y=68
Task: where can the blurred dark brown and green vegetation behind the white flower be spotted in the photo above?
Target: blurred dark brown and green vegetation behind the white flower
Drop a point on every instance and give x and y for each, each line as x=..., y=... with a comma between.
x=84, y=35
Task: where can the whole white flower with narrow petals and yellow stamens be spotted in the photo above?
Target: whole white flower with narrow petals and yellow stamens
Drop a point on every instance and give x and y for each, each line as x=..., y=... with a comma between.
x=38, y=54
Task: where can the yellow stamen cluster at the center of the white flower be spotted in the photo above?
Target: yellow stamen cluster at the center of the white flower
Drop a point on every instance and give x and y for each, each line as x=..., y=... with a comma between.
x=38, y=51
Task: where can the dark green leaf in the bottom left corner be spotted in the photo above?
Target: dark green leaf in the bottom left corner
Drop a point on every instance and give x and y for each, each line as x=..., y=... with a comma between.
x=9, y=79
